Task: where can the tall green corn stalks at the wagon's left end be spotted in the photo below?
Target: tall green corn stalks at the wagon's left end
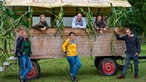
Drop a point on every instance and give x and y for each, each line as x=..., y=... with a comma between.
x=8, y=22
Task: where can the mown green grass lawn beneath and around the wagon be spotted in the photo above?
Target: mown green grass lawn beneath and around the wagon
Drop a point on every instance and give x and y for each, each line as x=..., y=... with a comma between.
x=57, y=70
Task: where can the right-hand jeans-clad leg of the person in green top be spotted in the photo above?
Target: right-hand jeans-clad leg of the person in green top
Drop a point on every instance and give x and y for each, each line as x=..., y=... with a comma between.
x=28, y=66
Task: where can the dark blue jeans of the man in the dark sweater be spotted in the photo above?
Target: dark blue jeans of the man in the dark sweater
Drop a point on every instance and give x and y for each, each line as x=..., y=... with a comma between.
x=128, y=58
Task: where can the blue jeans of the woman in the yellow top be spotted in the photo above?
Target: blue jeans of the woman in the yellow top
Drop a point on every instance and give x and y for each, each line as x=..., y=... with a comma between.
x=75, y=64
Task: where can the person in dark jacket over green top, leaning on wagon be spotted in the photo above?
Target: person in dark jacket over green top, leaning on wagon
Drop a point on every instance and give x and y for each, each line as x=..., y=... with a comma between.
x=23, y=51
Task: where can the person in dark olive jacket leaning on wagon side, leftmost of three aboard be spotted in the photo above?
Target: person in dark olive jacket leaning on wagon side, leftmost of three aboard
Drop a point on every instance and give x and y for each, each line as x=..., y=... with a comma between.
x=42, y=25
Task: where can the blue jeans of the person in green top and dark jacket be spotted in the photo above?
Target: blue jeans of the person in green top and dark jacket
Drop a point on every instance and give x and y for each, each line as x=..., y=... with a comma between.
x=25, y=65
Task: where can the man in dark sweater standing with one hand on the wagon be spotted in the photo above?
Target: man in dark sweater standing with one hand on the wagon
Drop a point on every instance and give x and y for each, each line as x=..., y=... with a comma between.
x=132, y=51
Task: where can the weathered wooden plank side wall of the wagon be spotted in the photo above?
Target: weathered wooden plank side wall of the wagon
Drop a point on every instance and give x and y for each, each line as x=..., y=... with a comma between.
x=46, y=45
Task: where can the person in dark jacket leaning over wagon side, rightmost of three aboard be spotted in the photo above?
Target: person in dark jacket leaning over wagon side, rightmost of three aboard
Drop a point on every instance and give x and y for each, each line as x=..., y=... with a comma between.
x=100, y=23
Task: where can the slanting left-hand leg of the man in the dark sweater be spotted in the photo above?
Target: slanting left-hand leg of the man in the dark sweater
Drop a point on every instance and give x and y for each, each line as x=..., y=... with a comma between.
x=127, y=63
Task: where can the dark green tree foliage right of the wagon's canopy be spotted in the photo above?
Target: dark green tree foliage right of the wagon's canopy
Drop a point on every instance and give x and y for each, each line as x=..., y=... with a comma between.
x=133, y=17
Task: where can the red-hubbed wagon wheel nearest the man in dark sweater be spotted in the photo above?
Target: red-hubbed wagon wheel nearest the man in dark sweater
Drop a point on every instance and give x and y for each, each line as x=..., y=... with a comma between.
x=108, y=67
